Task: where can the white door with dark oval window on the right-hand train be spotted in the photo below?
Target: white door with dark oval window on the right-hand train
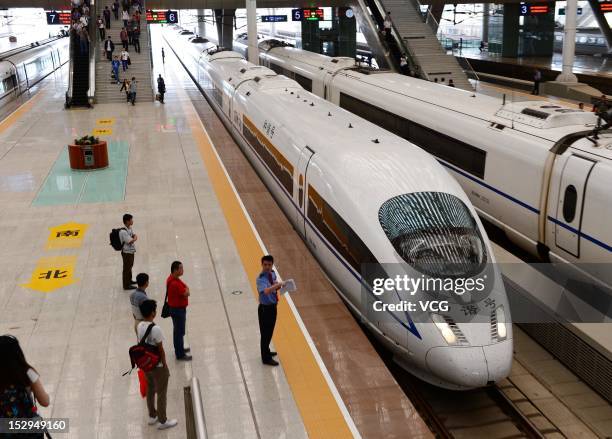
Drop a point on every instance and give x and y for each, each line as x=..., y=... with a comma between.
x=572, y=192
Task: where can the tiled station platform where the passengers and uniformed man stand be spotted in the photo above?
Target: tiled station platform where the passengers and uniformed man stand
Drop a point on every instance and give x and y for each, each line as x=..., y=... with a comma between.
x=75, y=324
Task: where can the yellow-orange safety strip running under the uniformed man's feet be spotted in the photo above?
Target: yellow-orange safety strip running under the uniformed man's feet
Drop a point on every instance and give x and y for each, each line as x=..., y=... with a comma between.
x=321, y=414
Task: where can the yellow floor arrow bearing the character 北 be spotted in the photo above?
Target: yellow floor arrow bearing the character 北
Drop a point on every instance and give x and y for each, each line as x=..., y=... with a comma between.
x=52, y=273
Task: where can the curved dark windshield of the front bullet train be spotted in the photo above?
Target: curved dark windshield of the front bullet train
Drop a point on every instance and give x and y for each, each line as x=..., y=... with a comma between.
x=435, y=233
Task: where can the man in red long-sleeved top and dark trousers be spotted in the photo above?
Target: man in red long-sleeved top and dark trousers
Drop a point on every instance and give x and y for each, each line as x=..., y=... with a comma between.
x=178, y=300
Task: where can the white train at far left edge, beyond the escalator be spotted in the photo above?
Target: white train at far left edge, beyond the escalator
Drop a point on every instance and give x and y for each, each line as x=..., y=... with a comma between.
x=22, y=68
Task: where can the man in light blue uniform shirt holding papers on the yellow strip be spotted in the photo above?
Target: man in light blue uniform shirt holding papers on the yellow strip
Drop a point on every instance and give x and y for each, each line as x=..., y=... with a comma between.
x=267, y=287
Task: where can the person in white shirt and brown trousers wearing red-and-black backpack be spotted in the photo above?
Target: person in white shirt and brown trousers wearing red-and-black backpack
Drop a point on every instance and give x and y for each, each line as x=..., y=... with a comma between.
x=157, y=378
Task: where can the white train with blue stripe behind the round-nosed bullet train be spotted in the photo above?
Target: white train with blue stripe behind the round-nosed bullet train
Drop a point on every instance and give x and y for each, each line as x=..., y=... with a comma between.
x=532, y=168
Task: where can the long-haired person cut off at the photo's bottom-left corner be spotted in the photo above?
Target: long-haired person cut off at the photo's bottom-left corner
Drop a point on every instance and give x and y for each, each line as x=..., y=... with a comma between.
x=20, y=384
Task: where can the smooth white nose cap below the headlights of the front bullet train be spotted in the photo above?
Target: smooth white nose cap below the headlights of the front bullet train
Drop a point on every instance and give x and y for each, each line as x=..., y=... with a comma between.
x=469, y=367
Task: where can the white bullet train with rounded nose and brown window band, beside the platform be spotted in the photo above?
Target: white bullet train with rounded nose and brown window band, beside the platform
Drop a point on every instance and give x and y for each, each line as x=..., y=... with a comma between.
x=371, y=207
